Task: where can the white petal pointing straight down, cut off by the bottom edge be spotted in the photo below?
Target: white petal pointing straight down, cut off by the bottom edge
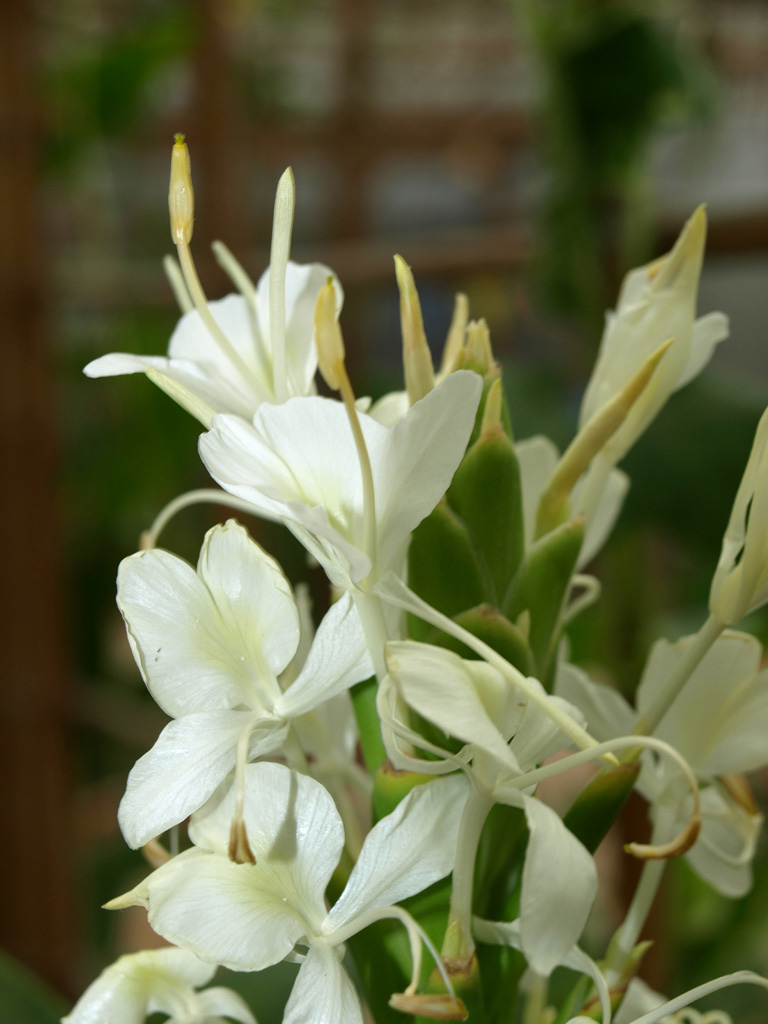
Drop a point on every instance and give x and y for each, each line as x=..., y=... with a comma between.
x=323, y=993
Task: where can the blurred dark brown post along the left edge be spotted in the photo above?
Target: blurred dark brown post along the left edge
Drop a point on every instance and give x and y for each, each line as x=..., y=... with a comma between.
x=36, y=902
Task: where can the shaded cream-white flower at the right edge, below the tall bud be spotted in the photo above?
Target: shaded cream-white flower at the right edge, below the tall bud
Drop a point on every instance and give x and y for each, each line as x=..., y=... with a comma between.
x=718, y=722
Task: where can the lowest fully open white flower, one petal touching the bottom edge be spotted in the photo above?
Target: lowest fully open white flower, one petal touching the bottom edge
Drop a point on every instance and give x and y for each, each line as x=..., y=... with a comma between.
x=248, y=917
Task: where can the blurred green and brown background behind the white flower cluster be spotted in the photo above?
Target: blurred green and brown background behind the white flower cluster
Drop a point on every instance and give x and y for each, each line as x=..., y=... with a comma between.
x=528, y=154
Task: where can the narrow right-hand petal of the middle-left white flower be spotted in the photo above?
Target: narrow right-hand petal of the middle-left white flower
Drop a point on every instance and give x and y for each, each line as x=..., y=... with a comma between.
x=337, y=660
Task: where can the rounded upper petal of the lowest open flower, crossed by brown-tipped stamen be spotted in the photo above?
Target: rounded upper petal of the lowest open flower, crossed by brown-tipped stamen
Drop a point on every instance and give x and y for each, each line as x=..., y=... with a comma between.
x=293, y=828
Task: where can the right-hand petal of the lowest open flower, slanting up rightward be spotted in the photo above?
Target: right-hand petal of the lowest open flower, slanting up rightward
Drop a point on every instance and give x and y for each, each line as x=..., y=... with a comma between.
x=406, y=851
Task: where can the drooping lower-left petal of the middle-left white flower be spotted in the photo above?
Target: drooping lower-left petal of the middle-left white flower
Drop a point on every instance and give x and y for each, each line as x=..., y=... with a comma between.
x=192, y=757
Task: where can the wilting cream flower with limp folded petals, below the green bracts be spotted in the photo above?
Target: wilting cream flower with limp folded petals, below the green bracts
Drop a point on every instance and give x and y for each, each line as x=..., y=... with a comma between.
x=505, y=737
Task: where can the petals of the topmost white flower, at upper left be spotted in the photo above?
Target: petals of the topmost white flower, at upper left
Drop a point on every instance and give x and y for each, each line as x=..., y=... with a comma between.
x=197, y=362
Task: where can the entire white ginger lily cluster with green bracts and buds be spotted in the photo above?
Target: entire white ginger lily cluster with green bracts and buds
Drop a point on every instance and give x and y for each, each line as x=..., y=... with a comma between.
x=456, y=559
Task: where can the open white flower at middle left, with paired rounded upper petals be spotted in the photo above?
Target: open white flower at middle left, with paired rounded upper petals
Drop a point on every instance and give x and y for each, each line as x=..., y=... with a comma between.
x=212, y=647
